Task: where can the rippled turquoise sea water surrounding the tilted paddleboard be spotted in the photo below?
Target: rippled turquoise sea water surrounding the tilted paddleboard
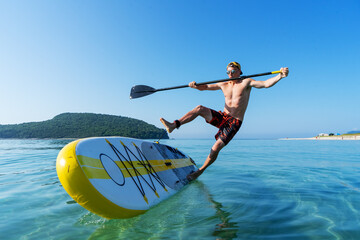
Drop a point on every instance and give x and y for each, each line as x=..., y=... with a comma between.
x=257, y=189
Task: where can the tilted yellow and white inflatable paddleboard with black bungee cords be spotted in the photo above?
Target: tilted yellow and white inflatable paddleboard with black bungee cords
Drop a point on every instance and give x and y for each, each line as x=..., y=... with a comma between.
x=118, y=177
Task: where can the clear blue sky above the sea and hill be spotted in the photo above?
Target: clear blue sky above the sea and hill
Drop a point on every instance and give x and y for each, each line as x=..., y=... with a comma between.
x=84, y=56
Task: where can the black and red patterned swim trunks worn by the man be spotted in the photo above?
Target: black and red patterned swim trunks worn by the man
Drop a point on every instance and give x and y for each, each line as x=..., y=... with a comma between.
x=228, y=125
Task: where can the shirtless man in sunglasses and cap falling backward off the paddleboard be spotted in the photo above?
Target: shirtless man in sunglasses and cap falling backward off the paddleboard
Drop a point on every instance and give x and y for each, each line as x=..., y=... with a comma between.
x=237, y=94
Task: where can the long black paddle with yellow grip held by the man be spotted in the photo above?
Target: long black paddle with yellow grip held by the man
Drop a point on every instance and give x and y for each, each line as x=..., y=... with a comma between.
x=143, y=90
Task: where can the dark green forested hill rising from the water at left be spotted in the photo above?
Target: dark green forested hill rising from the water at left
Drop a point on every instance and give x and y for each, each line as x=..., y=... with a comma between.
x=80, y=125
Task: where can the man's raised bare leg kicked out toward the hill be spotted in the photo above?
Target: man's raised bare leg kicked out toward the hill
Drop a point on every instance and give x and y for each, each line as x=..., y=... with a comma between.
x=188, y=117
